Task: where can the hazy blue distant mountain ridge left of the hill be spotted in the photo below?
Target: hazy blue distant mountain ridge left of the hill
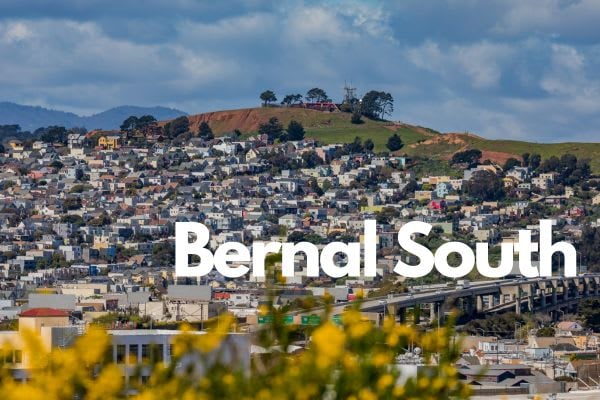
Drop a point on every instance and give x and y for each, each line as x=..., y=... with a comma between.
x=33, y=117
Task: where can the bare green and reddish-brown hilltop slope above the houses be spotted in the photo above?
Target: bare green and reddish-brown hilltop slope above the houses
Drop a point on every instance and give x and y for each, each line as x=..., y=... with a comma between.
x=335, y=127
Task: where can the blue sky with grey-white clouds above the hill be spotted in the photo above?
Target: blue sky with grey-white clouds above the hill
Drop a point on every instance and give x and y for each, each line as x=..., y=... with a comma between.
x=512, y=69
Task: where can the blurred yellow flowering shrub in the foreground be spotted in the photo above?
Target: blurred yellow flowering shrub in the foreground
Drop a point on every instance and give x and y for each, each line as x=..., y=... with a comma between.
x=351, y=361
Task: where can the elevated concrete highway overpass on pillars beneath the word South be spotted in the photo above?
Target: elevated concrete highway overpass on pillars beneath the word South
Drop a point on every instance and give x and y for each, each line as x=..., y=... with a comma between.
x=554, y=295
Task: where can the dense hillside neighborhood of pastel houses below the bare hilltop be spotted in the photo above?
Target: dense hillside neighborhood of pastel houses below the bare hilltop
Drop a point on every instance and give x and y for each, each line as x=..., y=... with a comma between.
x=87, y=223
